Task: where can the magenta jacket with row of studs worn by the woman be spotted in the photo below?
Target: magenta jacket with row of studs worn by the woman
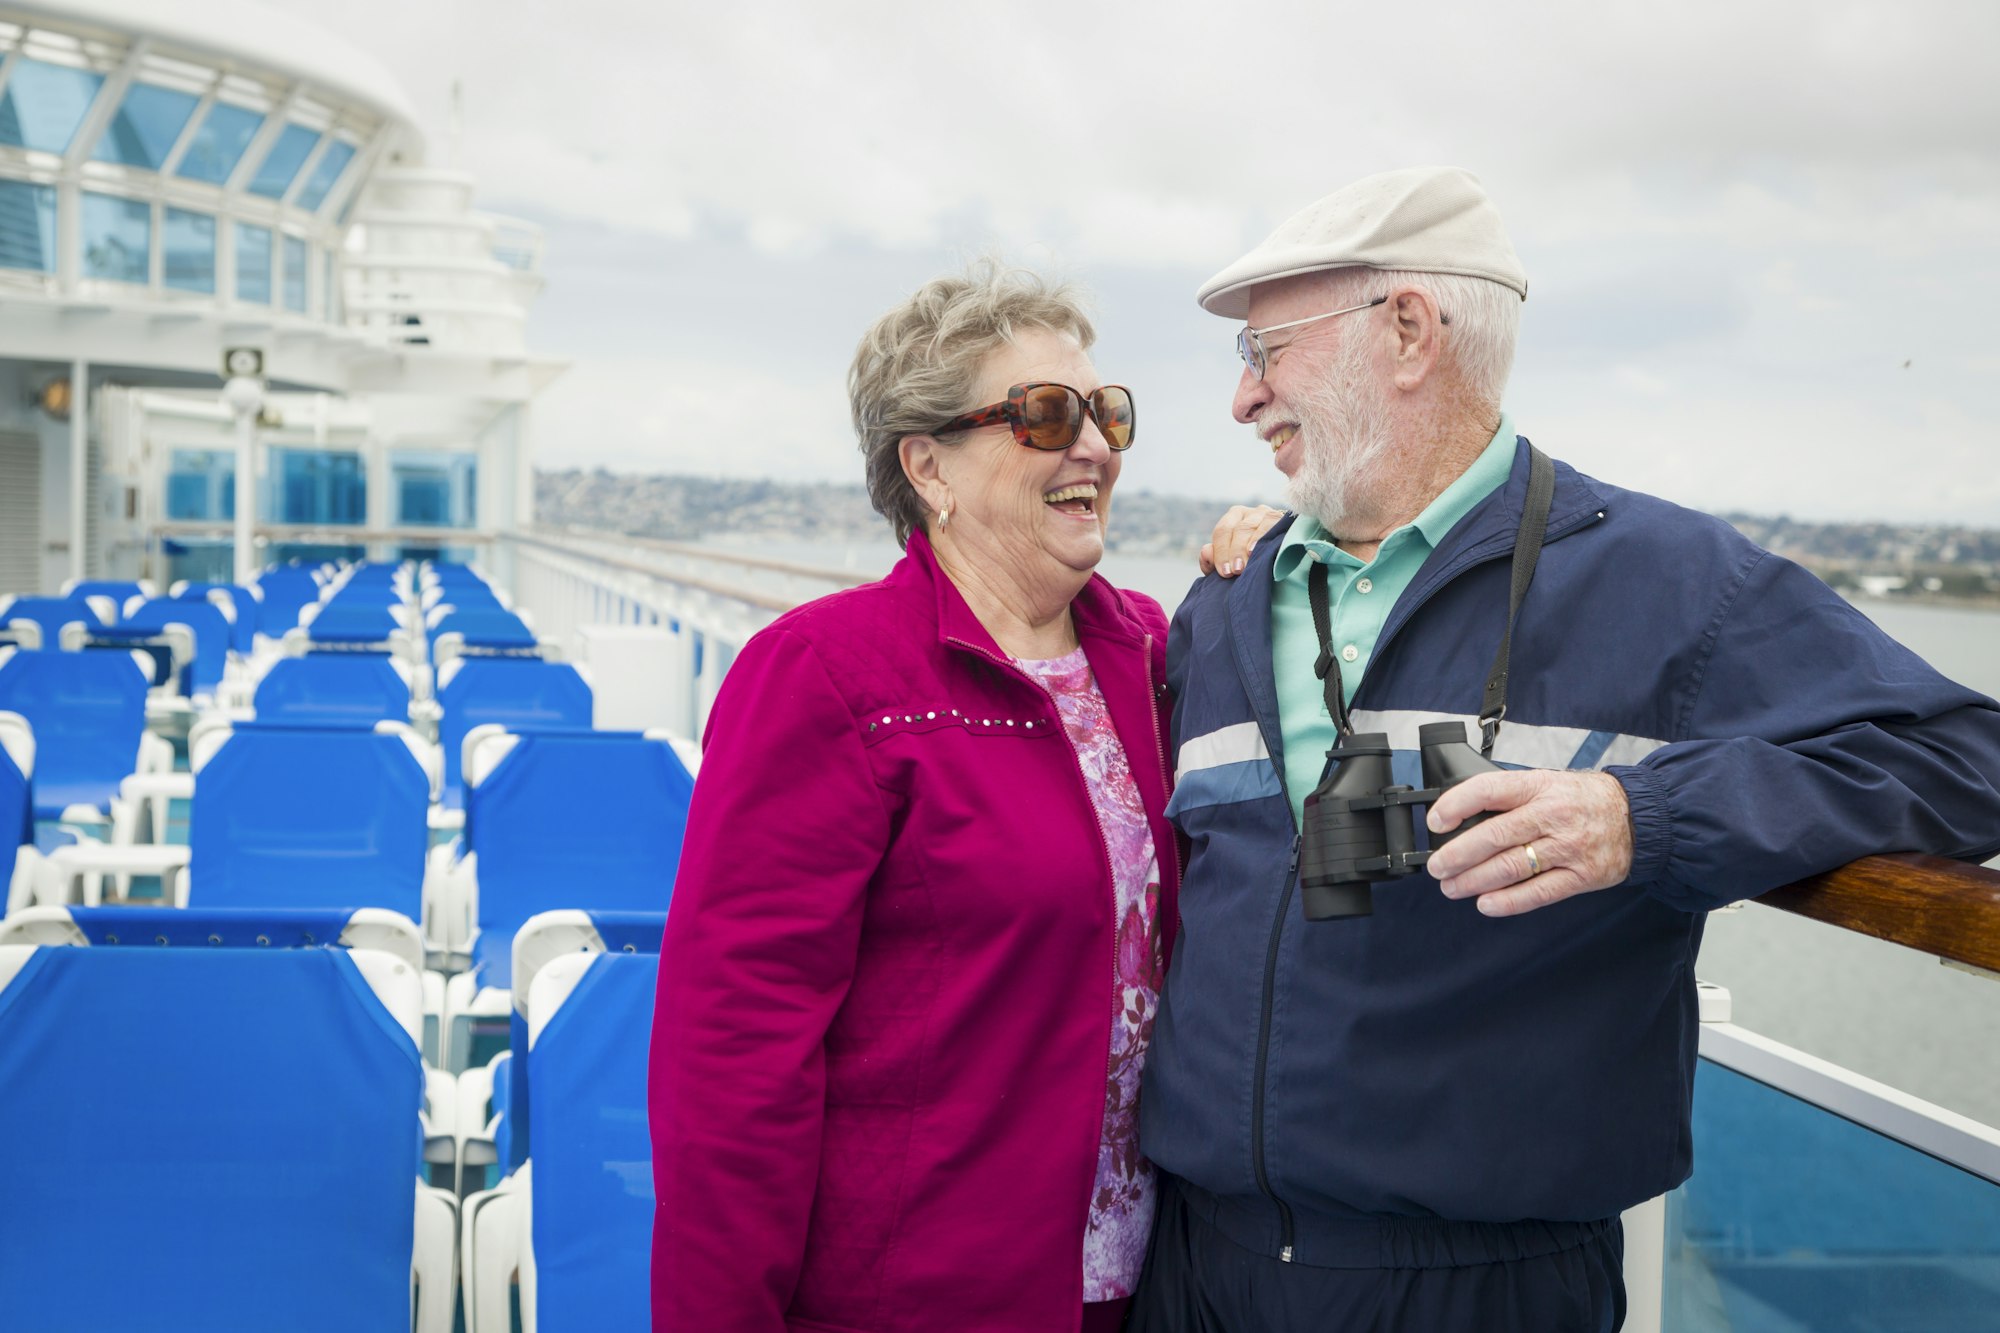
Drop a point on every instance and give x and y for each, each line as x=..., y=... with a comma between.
x=885, y=1010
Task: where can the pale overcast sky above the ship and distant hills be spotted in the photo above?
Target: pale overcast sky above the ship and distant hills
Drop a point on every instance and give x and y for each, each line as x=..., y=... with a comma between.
x=1763, y=239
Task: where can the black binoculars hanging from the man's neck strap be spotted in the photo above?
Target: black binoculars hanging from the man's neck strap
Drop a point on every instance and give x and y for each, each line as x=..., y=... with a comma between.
x=1359, y=826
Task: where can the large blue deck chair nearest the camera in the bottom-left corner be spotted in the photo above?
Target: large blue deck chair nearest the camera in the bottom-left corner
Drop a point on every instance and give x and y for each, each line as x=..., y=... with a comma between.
x=219, y=1124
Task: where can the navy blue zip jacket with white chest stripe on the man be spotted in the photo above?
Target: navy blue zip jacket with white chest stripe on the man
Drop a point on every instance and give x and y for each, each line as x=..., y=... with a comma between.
x=1429, y=1062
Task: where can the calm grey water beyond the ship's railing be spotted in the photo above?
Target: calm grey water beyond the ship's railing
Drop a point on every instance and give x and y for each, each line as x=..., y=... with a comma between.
x=1875, y=1008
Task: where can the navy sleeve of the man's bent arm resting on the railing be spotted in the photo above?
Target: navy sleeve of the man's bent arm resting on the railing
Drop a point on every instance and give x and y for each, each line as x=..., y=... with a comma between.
x=1809, y=740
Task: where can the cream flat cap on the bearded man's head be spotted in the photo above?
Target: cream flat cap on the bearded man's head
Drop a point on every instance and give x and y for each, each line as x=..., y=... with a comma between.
x=1423, y=219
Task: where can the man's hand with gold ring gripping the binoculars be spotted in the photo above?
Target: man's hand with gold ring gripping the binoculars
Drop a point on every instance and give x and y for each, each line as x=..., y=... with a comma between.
x=1577, y=824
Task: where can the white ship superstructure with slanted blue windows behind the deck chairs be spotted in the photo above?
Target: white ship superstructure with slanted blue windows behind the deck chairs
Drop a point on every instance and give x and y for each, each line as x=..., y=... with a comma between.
x=183, y=181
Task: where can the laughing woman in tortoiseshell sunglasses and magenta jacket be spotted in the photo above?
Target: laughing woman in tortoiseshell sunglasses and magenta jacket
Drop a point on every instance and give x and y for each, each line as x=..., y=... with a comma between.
x=927, y=888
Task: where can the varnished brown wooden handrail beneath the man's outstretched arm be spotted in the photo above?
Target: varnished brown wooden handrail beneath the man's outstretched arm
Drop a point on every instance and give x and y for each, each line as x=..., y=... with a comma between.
x=1943, y=908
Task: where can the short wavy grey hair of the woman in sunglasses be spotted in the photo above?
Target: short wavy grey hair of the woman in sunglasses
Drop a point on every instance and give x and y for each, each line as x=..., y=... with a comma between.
x=919, y=365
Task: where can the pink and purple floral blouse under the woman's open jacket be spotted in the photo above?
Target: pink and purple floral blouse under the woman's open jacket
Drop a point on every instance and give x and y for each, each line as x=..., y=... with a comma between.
x=1123, y=1200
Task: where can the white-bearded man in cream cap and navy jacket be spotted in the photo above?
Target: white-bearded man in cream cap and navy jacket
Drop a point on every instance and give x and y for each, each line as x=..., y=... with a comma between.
x=1433, y=1116
